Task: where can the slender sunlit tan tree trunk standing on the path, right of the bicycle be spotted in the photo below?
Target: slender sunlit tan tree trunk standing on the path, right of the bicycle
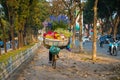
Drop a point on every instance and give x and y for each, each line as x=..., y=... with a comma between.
x=94, y=31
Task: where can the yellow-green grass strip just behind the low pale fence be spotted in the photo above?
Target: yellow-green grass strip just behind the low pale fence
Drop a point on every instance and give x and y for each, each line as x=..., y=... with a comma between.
x=13, y=53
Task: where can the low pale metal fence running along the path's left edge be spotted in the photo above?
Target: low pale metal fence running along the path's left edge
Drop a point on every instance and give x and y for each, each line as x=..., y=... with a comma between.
x=10, y=65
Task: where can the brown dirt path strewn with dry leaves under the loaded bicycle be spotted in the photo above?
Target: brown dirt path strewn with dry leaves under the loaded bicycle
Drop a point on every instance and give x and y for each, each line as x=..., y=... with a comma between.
x=70, y=66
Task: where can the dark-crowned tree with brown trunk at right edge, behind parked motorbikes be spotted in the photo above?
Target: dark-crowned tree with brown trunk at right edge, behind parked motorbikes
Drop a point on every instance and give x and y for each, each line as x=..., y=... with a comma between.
x=110, y=9
